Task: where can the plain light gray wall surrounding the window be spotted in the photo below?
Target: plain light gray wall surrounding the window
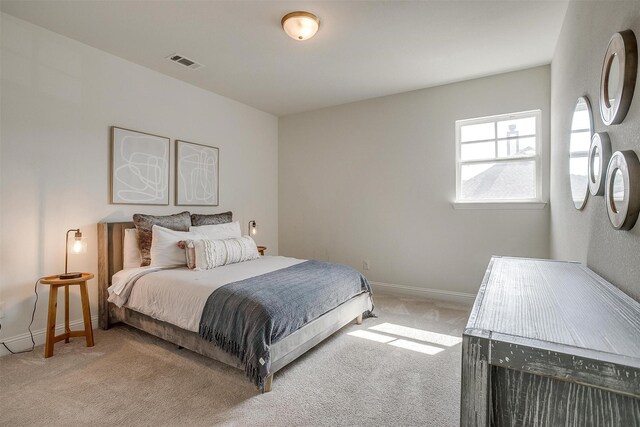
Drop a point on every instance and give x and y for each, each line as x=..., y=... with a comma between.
x=375, y=180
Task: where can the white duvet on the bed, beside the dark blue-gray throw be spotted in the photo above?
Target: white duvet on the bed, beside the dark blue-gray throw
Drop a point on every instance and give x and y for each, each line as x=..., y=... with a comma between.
x=178, y=295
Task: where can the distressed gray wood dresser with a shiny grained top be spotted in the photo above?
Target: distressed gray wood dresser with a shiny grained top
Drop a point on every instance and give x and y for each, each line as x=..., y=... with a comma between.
x=550, y=343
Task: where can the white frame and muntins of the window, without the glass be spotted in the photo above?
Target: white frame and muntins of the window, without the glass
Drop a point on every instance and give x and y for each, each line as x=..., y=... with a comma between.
x=532, y=203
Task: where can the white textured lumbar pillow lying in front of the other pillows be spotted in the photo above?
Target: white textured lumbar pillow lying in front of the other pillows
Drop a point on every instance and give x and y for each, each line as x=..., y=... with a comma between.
x=215, y=253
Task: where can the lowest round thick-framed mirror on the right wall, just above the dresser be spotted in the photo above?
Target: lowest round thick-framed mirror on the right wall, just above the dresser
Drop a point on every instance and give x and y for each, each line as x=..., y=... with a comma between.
x=622, y=189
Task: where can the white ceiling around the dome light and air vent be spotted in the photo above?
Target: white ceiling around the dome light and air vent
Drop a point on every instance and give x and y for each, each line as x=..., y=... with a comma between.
x=363, y=49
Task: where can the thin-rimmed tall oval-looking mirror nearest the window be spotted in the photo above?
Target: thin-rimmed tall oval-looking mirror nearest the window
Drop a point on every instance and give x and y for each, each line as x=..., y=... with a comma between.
x=579, y=143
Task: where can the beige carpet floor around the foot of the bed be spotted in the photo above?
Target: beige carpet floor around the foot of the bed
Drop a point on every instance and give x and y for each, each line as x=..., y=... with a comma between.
x=131, y=378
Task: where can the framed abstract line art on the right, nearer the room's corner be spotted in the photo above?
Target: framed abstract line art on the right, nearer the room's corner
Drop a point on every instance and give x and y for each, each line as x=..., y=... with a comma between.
x=197, y=174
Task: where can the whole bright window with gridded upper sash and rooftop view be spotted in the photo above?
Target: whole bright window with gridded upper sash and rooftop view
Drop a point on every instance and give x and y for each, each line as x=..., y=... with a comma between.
x=498, y=158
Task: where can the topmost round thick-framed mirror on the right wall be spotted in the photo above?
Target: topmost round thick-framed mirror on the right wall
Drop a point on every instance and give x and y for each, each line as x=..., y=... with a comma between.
x=618, y=79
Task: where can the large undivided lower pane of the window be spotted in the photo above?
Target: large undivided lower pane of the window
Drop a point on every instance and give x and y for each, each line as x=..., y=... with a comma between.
x=499, y=181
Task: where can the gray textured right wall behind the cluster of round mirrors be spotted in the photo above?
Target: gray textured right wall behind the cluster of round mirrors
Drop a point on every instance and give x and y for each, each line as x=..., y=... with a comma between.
x=587, y=235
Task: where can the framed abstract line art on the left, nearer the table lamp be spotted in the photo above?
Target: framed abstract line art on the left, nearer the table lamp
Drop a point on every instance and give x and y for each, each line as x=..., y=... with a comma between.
x=139, y=168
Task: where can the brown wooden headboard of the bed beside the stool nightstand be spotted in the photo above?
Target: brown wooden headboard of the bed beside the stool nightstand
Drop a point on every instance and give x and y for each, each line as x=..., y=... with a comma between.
x=110, y=244
